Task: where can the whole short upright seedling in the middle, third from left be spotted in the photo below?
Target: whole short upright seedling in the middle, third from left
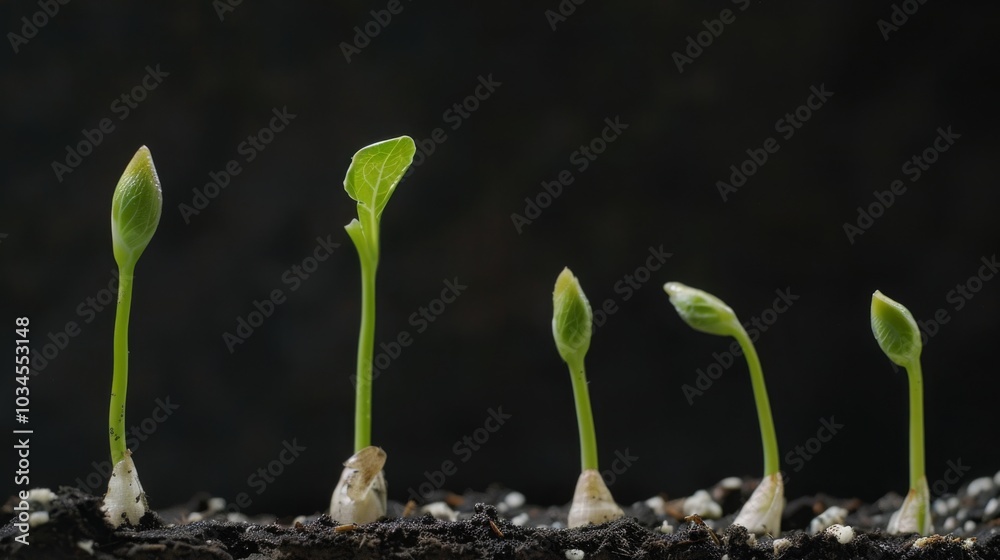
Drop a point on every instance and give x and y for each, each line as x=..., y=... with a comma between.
x=572, y=325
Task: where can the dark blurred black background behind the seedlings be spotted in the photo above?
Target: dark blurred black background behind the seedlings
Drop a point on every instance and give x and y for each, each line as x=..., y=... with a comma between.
x=218, y=72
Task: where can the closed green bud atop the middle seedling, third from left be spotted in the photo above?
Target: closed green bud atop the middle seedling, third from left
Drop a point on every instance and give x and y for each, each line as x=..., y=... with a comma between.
x=572, y=317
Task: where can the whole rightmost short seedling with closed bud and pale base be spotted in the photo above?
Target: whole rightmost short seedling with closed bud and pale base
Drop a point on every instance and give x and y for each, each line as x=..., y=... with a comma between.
x=899, y=337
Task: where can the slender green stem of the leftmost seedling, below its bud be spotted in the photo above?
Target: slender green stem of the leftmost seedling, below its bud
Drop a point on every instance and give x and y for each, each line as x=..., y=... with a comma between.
x=119, y=382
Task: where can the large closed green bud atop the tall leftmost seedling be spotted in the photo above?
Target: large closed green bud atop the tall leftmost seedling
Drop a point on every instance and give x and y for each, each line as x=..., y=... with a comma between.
x=136, y=207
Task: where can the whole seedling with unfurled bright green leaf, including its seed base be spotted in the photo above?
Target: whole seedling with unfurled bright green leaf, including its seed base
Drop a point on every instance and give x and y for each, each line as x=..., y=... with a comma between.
x=374, y=173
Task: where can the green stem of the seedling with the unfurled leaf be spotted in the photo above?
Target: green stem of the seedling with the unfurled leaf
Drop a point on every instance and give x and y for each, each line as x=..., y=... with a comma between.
x=366, y=346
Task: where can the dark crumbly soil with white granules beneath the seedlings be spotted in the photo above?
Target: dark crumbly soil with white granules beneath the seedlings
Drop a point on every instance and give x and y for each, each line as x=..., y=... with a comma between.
x=498, y=524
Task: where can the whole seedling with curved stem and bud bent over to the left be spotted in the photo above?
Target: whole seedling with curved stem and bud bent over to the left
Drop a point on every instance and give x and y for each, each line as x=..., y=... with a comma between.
x=704, y=312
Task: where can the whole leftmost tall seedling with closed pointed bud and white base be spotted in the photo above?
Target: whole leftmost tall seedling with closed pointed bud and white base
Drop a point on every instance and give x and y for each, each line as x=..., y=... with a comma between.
x=135, y=213
